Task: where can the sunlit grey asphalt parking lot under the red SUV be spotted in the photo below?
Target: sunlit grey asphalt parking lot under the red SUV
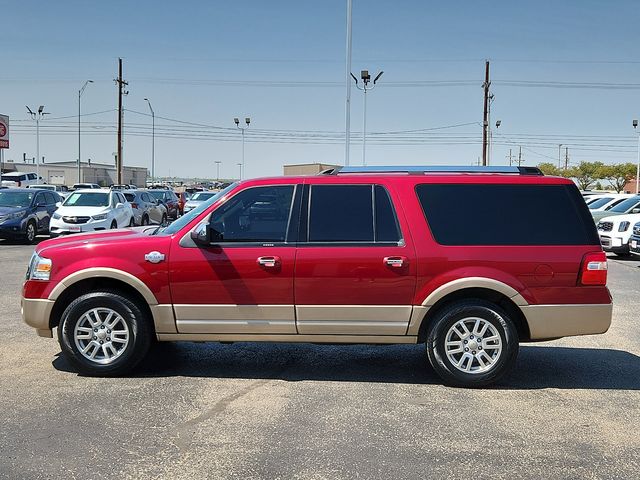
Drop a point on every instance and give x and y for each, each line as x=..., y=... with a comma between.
x=570, y=409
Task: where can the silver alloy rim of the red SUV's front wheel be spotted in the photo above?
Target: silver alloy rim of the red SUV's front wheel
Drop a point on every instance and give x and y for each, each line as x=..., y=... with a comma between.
x=101, y=335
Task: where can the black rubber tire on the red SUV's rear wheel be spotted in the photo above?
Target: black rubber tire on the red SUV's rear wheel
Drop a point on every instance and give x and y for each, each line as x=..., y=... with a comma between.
x=490, y=313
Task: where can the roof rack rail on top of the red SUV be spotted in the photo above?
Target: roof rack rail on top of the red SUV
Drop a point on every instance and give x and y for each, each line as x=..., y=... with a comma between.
x=434, y=169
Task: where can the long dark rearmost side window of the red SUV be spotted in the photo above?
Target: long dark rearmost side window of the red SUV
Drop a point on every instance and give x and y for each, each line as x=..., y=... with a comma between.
x=507, y=215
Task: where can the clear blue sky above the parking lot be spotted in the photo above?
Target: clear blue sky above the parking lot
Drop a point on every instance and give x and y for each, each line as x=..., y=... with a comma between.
x=563, y=72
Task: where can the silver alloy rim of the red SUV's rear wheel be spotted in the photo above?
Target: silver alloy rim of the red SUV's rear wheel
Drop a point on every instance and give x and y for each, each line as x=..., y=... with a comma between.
x=473, y=345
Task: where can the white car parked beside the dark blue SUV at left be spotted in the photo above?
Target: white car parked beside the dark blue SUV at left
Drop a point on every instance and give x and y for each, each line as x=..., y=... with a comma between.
x=90, y=210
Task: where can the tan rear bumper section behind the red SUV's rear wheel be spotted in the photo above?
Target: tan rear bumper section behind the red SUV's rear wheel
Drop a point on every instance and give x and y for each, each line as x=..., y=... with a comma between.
x=555, y=321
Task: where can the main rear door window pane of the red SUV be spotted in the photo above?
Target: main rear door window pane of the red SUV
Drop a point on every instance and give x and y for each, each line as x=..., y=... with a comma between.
x=341, y=213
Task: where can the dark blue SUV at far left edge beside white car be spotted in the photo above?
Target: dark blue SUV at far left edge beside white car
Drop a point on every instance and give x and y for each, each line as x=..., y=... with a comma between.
x=24, y=213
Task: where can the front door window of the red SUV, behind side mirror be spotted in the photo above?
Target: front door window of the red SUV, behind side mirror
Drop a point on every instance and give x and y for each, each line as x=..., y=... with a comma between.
x=259, y=214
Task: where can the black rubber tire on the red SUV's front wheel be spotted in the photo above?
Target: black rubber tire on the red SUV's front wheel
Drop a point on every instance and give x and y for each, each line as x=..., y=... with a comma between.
x=139, y=328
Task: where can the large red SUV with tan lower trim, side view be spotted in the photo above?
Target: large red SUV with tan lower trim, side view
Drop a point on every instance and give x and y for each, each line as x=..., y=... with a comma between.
x=470, y=261
